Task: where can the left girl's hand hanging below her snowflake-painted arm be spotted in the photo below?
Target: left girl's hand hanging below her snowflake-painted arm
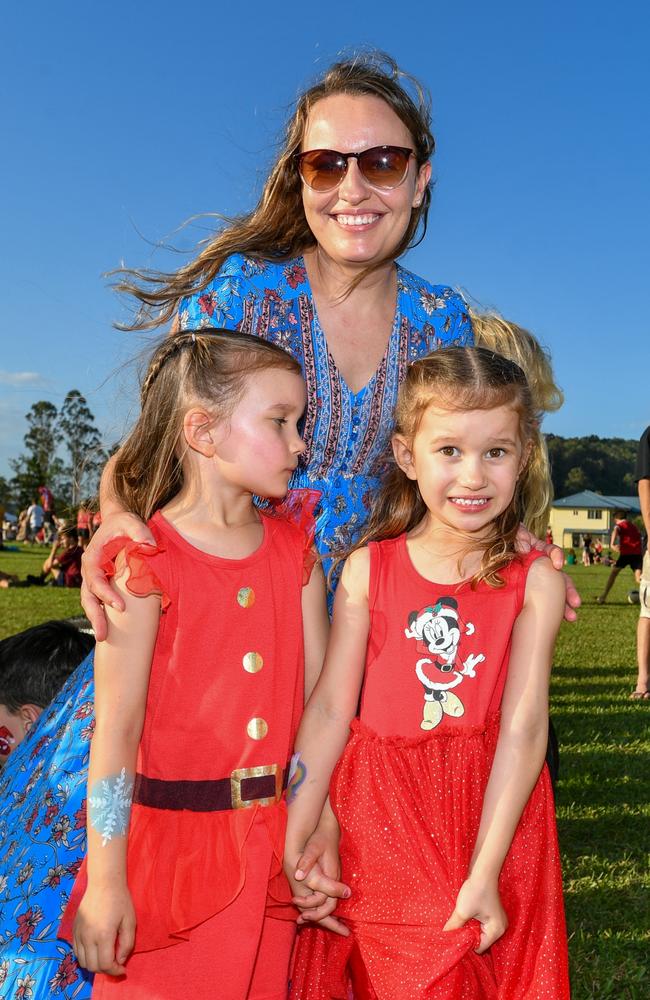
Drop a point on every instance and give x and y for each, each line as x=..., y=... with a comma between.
x=104, y=931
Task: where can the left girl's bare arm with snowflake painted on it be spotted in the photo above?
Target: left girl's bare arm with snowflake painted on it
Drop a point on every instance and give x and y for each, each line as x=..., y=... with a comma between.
x=104, y=928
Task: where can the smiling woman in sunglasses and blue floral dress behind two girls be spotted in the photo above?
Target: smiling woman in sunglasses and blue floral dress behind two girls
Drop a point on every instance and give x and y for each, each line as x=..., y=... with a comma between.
x=312, y=268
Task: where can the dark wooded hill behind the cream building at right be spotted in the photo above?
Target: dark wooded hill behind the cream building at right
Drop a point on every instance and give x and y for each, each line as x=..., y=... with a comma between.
x=604, y=465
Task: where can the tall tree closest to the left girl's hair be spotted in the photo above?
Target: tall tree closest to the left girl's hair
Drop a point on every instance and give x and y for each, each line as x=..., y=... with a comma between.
x=83, y=444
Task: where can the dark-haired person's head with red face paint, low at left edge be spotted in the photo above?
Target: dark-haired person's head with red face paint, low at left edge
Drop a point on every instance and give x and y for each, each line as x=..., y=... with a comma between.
x=34, y=665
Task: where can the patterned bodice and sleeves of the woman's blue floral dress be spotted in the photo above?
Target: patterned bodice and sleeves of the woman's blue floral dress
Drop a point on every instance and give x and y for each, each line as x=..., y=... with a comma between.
x=347, y=433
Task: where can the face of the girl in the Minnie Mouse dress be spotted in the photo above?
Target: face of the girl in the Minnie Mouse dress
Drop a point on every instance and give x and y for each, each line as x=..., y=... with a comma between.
x=466, y=464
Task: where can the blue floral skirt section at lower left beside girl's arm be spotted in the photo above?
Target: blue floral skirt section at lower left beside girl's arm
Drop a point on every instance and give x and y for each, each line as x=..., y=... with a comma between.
x=42, y=843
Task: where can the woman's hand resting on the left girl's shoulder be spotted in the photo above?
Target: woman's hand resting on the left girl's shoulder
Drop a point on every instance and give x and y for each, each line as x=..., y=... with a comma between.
x=95, y=588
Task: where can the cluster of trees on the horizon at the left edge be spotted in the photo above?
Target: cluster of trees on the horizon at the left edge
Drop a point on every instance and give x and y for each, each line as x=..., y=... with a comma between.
x=62, y=450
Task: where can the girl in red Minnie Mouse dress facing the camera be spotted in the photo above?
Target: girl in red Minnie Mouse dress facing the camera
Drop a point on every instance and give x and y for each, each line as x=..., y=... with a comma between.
x=446, y=634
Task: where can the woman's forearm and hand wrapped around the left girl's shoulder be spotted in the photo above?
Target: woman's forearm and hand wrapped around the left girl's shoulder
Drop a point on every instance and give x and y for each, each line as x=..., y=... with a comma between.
x=96, y=591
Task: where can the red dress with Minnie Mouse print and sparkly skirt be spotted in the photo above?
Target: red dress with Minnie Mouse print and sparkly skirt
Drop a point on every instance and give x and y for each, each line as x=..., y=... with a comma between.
x=408, y=792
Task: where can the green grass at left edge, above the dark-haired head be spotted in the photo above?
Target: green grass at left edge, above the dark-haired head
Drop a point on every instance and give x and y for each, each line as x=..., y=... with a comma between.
x=21, y=607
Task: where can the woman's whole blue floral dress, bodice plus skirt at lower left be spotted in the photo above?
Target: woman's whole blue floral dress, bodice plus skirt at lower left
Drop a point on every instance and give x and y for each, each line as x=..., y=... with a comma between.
x=43, y=787
